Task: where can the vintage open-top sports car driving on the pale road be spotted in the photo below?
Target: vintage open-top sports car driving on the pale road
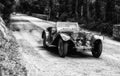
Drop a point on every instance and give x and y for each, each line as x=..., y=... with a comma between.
x=68, y=36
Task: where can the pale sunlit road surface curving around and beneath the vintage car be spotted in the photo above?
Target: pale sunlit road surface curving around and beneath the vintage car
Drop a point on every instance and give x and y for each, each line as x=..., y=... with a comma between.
x=44, y=62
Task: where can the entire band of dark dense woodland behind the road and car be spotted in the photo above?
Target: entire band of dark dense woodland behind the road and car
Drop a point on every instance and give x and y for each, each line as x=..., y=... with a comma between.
x=94, y=14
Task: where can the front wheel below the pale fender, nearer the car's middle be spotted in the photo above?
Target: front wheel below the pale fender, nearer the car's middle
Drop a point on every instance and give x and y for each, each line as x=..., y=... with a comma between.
x=62, y=48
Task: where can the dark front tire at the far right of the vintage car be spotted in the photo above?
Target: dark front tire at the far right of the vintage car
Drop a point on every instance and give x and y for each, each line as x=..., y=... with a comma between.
x=97, y=49
